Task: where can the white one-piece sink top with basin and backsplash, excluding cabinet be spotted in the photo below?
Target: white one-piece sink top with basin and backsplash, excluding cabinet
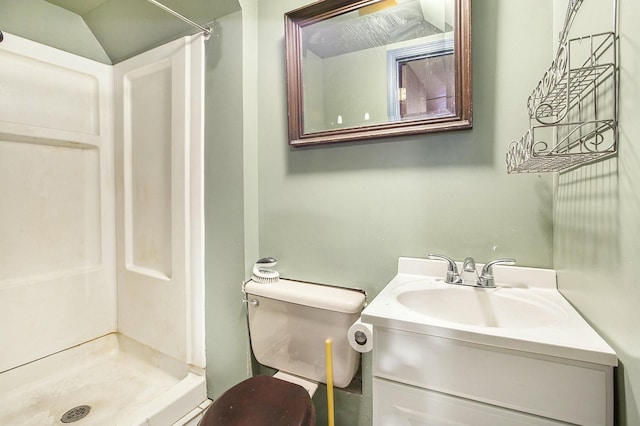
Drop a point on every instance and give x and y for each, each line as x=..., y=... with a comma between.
x=525, y=312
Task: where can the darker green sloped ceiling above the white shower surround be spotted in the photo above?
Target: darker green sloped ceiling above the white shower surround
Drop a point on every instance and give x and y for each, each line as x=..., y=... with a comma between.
x=126, y=27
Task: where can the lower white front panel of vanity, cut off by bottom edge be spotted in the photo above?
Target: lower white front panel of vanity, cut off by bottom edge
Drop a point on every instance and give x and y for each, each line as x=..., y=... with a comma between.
x=403, y=405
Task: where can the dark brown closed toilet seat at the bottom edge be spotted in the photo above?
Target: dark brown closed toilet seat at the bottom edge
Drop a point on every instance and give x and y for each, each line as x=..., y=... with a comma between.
x=262, y=401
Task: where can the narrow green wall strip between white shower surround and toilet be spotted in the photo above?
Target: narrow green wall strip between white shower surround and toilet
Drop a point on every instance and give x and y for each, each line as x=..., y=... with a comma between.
x=225, y=227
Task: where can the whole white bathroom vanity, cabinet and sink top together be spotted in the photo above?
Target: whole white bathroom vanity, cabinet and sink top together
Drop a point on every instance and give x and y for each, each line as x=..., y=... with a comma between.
x=516, y=354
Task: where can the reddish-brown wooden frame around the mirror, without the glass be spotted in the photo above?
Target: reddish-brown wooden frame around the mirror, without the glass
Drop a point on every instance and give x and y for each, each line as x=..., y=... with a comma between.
x=321, y=10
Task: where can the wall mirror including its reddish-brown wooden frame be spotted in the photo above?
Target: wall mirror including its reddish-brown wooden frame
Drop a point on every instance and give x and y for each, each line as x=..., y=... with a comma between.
x=377, y=68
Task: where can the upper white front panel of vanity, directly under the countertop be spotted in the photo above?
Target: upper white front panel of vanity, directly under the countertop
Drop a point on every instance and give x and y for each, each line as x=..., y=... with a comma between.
x=557, y=388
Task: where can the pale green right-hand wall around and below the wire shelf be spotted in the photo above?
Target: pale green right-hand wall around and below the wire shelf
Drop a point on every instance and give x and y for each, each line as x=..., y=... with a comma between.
x=596, y=217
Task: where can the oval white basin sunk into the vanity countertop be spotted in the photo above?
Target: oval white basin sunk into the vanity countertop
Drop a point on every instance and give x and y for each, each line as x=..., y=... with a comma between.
x=496, y=307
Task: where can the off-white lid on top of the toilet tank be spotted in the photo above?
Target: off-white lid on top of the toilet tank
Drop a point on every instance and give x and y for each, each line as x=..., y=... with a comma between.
x=320, y=296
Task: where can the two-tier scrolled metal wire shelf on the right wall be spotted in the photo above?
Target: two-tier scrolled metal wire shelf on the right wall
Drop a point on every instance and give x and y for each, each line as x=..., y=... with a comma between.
x=572, y=110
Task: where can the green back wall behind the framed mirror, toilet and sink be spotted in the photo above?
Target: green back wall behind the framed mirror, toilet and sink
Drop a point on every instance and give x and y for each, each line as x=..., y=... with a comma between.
x=342, y=214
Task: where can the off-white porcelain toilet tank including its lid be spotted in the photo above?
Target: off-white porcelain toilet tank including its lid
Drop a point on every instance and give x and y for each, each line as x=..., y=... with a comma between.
x=289, y=322
